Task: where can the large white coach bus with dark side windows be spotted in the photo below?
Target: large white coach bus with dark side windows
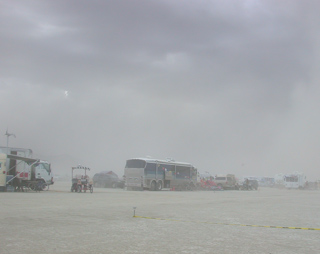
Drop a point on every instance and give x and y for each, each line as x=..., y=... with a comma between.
x=153, y=174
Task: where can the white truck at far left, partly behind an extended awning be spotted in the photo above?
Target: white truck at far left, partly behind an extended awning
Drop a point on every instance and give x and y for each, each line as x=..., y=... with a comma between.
x=26, y=171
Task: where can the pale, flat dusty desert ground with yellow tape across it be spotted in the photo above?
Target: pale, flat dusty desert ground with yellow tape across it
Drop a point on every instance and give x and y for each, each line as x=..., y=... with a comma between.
x=58, y=221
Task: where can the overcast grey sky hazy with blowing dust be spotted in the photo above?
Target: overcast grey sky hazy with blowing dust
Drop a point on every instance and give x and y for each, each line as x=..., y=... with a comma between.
x=229, y=86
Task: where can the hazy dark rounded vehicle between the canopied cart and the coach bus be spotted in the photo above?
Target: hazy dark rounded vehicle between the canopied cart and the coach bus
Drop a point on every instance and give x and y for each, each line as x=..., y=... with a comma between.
x=107, y=179
